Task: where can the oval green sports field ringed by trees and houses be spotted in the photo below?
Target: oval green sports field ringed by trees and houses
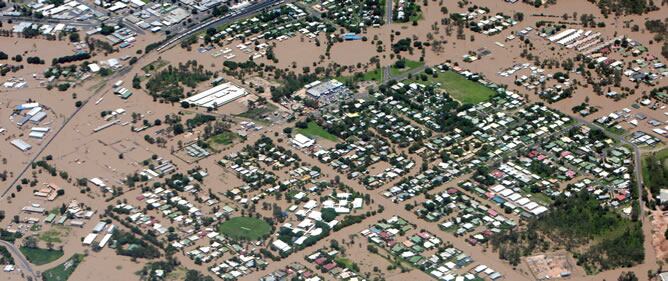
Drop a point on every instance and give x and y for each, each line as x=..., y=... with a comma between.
x=246, y=228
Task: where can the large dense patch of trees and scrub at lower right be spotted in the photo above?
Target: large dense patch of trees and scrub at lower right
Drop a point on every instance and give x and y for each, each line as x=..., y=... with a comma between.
x=599, y=238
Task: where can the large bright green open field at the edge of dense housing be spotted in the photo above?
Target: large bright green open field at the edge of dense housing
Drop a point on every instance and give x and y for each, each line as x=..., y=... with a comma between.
x=462, y=89
